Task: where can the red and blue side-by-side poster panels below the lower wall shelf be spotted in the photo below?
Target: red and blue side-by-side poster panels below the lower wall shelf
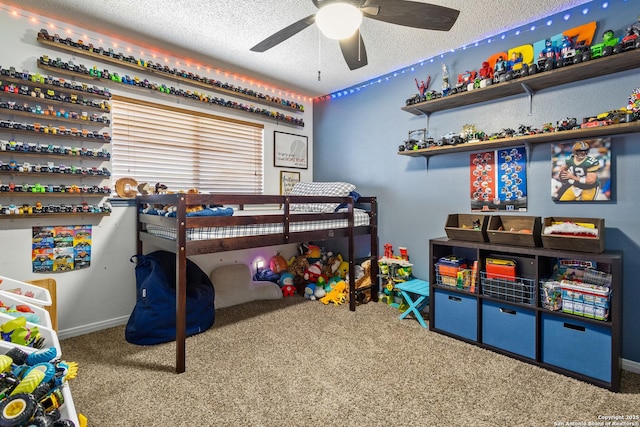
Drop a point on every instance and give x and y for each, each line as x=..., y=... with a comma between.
x=498, y=180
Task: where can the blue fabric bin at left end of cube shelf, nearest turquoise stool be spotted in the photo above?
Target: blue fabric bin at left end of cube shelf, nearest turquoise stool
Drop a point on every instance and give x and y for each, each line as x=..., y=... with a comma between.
x=456, y=313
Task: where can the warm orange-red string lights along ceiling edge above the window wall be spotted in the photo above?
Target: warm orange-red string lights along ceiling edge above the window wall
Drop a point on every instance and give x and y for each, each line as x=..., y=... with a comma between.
x=53, y=26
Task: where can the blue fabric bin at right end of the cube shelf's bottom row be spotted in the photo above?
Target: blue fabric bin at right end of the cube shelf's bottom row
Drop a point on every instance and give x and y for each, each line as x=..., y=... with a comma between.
x=576, y=345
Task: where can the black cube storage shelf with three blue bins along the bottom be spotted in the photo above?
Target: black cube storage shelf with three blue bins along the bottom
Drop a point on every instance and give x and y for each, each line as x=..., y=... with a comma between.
x=514, y=318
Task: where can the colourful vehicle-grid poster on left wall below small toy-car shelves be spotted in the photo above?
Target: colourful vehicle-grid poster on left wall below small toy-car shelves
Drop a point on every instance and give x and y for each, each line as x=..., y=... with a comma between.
x=61, y=248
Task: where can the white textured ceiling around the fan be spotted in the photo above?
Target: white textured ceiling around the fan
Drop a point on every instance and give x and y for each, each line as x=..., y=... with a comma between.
x=220, y=34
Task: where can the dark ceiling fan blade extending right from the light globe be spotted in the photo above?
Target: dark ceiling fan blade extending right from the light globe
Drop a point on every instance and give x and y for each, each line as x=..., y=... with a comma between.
x=411, y=14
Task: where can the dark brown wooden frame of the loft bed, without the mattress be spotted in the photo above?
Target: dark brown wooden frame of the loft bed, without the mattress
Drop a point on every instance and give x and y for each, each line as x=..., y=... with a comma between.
x=184, y=247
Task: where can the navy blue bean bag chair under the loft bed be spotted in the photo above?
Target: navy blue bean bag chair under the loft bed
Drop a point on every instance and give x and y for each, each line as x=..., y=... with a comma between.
x=153, y=319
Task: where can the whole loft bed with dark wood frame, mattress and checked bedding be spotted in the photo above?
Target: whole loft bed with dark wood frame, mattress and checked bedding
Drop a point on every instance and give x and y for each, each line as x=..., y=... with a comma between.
x=256, y=221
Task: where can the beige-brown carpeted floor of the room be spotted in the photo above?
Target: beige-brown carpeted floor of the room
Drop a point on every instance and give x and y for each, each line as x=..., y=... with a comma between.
x=295, y=362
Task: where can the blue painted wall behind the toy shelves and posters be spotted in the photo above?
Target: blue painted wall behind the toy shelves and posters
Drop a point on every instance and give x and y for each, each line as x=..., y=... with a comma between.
x=356, y=139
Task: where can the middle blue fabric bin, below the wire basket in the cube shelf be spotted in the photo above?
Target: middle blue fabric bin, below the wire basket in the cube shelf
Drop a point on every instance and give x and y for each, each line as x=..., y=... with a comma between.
x=509, y=328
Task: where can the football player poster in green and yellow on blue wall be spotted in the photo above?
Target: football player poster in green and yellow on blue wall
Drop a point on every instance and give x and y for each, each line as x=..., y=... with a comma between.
x=581, y=171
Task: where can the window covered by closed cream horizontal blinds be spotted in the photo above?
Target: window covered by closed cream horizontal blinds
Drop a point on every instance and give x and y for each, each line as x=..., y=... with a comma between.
x=185, y=149
